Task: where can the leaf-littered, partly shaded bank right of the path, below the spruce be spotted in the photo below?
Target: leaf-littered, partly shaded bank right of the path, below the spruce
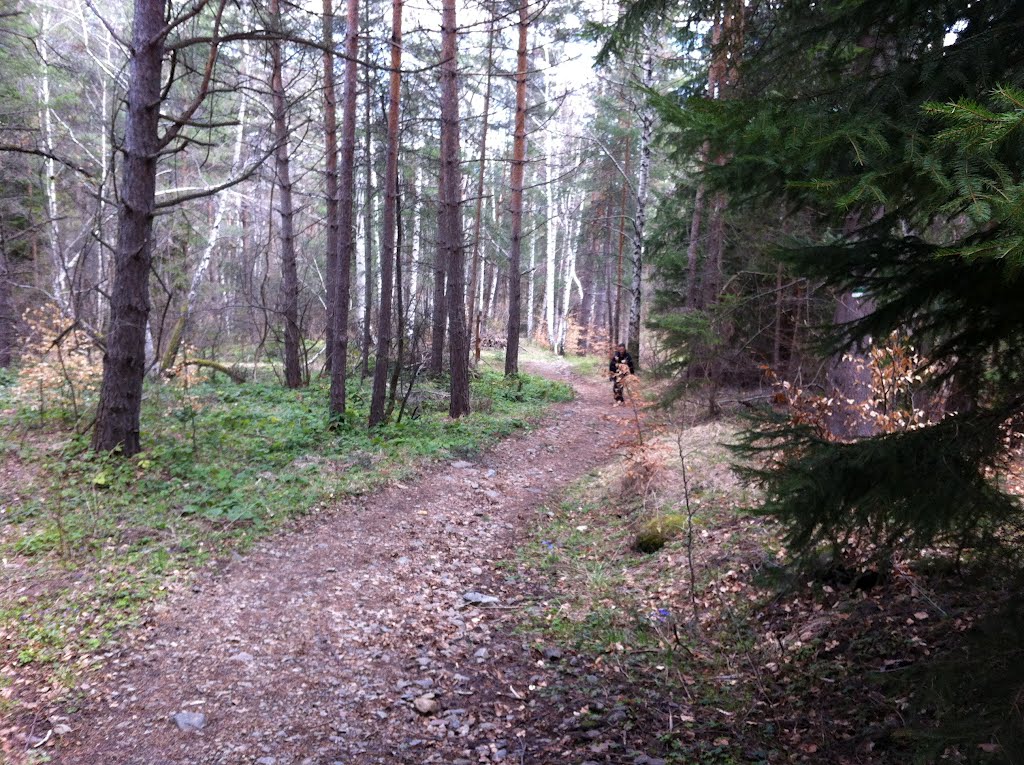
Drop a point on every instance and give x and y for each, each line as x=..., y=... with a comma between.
x=759, y=661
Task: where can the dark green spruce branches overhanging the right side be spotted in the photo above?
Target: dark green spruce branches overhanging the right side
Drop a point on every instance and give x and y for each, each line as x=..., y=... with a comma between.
x=894, y=130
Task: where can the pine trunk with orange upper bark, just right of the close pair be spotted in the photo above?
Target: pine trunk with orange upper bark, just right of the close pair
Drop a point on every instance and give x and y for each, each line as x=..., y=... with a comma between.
x=390, y=253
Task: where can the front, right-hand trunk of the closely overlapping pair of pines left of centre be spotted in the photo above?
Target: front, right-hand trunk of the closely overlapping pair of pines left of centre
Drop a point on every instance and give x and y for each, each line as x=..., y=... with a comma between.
x=347, y=192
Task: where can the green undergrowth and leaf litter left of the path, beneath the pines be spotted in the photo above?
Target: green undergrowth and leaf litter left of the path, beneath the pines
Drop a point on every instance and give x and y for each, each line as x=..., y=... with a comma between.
x=92, y=539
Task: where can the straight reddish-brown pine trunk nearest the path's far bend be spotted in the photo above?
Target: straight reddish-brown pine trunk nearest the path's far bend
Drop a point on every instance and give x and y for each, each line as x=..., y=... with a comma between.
x=519, y=173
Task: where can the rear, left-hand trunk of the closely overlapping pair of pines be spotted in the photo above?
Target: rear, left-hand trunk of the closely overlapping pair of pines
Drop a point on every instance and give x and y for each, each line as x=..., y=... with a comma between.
x=331, y=166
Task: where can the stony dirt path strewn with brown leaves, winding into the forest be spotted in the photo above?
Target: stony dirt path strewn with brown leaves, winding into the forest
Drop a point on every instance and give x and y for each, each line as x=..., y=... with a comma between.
x=317, y=649
